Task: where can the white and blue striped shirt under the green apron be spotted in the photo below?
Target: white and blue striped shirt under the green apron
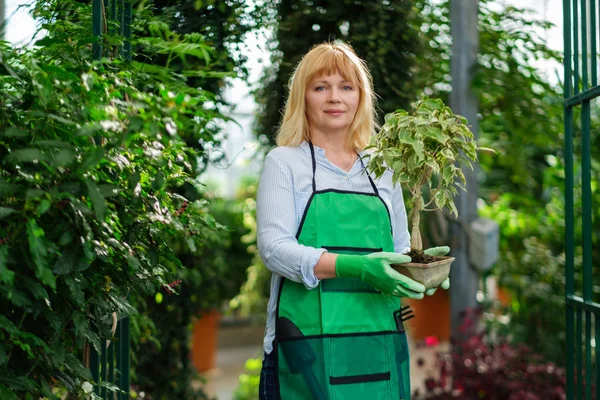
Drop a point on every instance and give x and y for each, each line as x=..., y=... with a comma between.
x=283, y=192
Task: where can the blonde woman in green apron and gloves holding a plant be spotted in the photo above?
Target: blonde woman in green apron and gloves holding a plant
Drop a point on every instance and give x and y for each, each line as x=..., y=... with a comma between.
x=329, y=233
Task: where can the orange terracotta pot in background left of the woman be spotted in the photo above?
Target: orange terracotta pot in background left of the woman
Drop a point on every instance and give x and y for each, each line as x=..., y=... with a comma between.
x=204, y=341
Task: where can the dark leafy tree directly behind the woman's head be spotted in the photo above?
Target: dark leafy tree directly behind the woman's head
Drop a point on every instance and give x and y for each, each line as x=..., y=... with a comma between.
x=379, y=30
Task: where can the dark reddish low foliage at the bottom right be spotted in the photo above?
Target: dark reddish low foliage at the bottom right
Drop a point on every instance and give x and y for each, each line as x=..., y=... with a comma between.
x=482, y=367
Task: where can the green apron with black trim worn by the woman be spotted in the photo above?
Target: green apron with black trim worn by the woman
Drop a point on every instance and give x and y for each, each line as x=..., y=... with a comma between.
x=342, y=340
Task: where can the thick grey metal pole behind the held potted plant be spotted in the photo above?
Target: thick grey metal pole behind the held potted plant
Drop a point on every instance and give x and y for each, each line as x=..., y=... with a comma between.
x=465, y=45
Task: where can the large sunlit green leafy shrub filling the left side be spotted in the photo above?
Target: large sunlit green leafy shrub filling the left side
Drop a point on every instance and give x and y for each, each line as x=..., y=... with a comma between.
x=95, y=165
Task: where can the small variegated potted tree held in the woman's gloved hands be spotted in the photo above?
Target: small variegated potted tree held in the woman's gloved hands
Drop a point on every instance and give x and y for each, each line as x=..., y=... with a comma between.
x=422, y=149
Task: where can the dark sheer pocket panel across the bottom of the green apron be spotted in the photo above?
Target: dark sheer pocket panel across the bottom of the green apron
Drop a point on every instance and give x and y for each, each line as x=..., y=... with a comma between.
x=371, y=366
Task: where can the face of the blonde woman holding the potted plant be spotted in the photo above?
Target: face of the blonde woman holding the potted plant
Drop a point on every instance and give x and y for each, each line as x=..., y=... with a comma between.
x=331, y=103
